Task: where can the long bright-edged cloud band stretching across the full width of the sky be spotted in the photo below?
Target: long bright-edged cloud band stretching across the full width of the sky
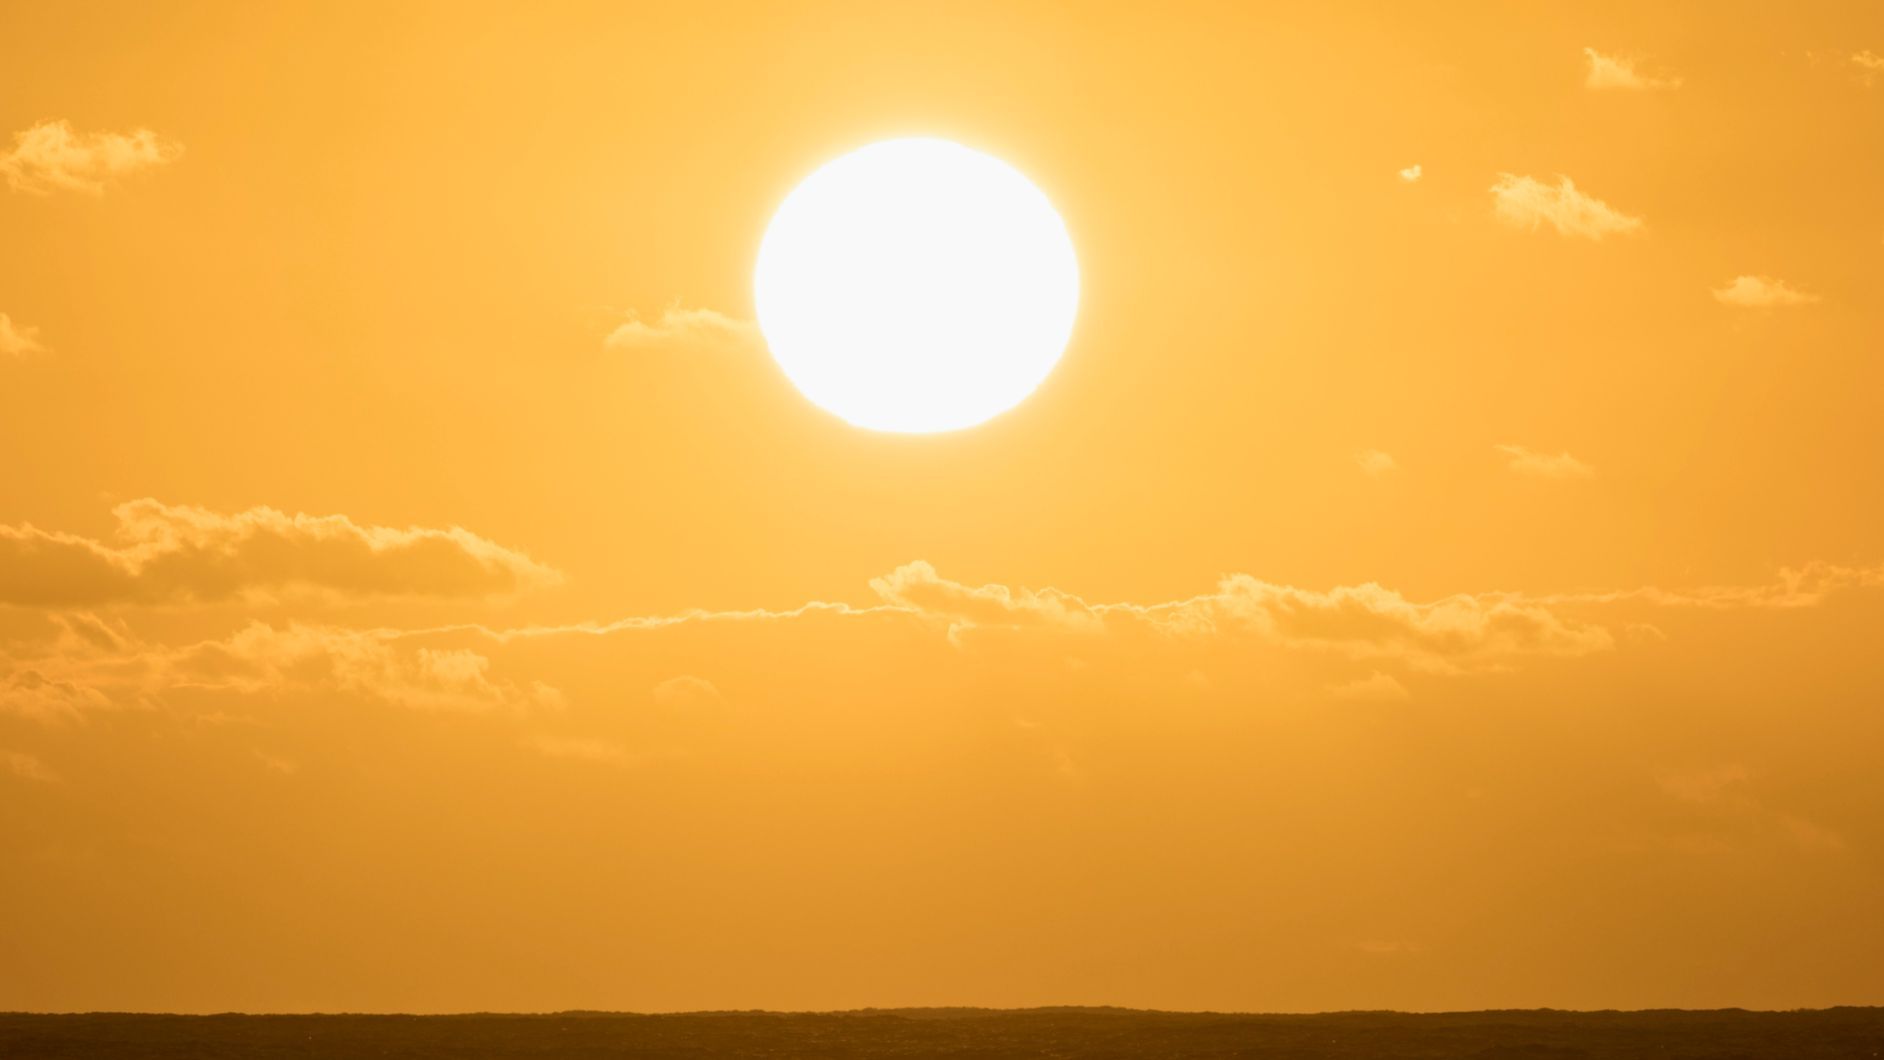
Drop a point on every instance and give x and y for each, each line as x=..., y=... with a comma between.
x=93, y=664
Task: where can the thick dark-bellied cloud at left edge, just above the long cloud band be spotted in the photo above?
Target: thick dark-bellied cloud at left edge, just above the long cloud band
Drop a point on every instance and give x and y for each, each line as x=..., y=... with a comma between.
x=174, y=553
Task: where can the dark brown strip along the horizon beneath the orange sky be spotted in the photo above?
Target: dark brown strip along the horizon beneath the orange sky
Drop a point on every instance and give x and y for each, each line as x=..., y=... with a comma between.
x=1847, y=1033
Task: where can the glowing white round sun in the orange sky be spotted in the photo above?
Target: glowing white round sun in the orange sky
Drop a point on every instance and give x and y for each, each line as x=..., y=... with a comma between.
x=917, y=285
